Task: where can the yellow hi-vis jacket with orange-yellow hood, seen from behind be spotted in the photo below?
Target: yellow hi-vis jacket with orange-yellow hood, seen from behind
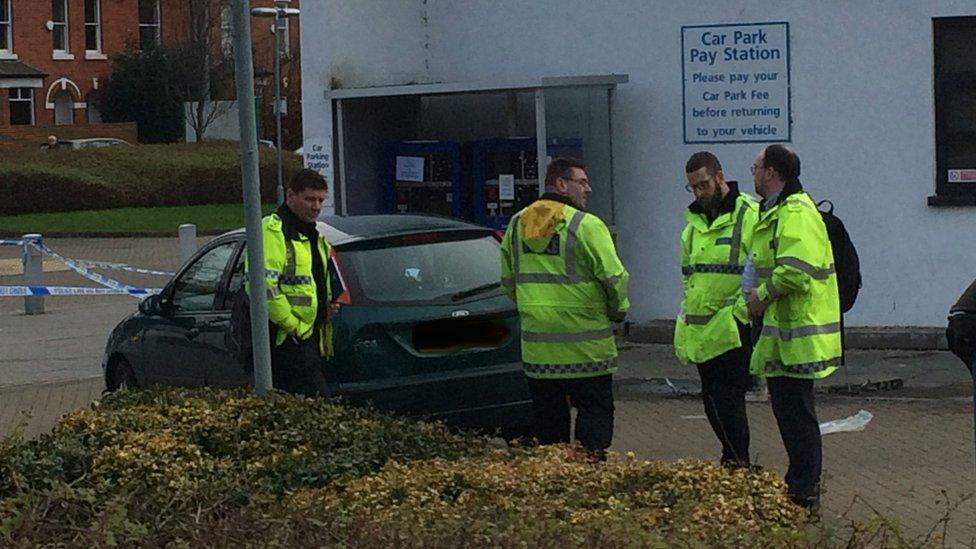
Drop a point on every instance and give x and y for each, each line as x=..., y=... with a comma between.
x=560, y=266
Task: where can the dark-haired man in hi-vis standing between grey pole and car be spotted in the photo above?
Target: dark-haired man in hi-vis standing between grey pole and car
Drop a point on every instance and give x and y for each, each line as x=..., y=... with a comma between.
x=299, y=291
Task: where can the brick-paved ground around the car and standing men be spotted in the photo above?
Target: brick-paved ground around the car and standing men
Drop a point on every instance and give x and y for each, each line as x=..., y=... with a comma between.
x=913, y=460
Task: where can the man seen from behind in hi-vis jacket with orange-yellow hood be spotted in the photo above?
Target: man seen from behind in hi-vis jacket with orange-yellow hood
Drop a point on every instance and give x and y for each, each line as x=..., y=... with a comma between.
x=560, y=267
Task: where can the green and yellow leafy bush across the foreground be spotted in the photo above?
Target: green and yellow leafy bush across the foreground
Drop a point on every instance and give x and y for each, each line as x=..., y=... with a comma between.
x=225, y=468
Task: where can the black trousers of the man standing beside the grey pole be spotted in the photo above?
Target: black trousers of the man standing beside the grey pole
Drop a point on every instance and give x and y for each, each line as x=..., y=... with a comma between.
x=297, y=367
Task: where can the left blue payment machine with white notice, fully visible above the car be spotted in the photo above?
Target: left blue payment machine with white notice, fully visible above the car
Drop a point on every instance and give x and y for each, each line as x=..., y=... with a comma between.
x=423, y=177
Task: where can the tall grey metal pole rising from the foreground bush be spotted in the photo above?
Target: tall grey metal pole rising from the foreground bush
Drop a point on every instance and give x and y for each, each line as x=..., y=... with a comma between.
x=244, y=72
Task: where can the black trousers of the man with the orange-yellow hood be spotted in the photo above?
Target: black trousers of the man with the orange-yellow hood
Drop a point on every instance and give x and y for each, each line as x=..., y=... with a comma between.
x=593, y=399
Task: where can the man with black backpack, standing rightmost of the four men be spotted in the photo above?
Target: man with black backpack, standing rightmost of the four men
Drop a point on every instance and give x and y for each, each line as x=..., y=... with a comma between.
x=797, y=300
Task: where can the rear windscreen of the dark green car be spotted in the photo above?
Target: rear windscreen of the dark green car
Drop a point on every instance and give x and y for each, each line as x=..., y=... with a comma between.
x=424, y=268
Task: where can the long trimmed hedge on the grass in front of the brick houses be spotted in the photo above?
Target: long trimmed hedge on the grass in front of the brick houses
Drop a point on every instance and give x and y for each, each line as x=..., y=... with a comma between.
x=38, y=181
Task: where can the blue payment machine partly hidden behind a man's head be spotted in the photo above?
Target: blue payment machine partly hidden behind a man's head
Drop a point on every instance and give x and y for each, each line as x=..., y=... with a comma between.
x=505, y=175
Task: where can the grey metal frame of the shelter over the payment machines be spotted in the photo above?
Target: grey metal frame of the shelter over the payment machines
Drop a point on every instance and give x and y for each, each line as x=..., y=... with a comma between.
x=538, y=86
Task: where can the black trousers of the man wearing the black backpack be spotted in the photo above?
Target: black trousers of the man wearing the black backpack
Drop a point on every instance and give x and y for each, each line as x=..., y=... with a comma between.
x=793, y=405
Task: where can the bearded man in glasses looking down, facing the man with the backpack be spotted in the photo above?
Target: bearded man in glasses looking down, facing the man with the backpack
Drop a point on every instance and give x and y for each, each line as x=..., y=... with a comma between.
x=711, y=331
